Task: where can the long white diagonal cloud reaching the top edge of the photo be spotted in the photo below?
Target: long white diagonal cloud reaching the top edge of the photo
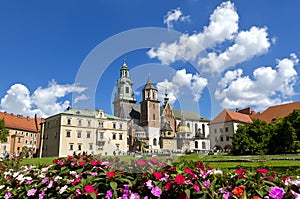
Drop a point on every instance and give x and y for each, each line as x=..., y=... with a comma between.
x=223, y=26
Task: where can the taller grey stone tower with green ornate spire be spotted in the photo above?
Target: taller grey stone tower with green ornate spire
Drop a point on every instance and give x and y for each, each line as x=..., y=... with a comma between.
x=124, y=98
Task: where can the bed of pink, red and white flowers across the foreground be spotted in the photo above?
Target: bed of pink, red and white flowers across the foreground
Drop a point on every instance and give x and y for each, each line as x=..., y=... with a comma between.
x=91, y=177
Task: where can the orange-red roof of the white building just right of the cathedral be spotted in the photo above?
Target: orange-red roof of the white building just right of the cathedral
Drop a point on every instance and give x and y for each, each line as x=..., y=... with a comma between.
x=228, y=116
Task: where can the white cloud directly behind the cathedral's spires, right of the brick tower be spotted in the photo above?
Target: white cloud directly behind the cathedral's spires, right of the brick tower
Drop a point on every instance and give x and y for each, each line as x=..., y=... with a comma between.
x=182, y=83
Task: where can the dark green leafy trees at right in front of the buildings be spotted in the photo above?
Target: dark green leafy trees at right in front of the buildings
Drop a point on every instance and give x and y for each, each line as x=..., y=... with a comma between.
x=260, y=137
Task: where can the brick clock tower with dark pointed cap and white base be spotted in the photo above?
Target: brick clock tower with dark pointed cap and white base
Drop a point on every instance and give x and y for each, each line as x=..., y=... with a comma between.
x=150, y=114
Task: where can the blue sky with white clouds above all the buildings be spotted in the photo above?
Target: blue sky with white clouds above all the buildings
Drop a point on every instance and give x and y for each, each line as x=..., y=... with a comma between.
x=215, y=54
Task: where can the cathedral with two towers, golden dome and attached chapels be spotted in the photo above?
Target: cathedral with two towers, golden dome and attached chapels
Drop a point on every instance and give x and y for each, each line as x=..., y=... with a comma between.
x=154, y=126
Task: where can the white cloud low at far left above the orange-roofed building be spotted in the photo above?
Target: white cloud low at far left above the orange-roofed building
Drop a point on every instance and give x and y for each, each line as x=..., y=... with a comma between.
x=43, y=102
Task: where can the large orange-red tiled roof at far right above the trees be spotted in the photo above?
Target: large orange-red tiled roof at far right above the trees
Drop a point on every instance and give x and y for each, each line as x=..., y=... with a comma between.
x=274, y=112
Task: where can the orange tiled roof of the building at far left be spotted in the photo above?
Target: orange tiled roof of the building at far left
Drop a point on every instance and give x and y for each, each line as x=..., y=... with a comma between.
x=19, y=122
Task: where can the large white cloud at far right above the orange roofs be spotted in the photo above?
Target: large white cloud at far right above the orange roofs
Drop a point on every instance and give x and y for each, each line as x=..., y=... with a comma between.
x=268, y=87
